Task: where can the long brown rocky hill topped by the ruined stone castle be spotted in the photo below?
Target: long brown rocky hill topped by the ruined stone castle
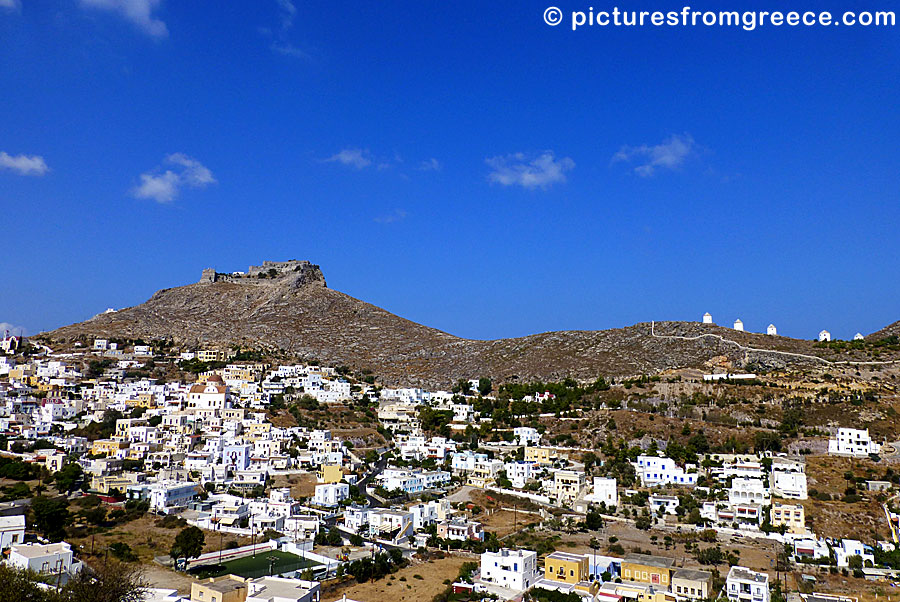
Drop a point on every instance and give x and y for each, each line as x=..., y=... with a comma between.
x=287, y=306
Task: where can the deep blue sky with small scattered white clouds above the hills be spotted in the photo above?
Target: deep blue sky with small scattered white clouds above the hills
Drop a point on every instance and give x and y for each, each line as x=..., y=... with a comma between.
x=460, y=164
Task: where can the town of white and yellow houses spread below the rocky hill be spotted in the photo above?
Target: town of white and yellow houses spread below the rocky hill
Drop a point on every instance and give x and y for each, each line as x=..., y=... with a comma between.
x=233, y=478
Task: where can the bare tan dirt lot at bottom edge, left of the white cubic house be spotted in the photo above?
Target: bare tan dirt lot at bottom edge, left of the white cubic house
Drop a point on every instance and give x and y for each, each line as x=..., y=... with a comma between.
x=402, y=586
